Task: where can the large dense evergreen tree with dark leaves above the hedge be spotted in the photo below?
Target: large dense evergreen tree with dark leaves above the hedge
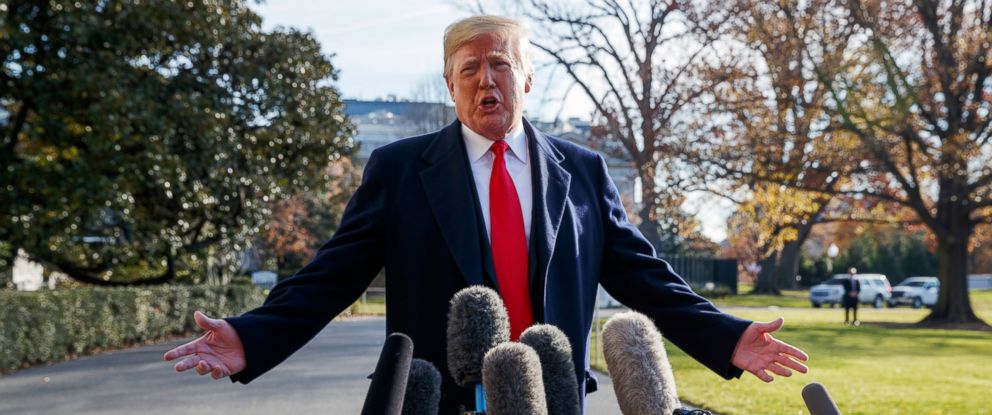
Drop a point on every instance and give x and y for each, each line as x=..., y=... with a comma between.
x=139, y=138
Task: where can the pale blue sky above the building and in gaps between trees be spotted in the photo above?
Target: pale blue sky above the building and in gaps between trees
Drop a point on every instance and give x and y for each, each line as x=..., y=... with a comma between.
x=388, y=47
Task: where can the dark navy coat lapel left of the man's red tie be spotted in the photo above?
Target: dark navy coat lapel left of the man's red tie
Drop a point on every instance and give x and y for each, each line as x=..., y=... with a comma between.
x=452, y=200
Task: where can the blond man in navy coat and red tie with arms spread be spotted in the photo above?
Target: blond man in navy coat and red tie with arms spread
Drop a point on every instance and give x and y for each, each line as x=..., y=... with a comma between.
x=486, y=200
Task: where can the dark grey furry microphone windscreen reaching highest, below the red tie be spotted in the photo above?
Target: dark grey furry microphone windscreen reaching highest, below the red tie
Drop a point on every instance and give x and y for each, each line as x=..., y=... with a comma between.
x=477, y=321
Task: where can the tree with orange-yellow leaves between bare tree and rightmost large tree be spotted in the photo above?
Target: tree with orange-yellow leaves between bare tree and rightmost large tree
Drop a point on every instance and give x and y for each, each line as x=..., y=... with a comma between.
x=770, y=121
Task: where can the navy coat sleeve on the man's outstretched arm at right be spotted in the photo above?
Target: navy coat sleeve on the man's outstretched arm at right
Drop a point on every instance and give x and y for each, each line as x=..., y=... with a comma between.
x=632, y=274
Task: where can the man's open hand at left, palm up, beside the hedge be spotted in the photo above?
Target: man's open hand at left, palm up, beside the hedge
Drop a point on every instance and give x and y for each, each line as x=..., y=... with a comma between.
x=218, y=352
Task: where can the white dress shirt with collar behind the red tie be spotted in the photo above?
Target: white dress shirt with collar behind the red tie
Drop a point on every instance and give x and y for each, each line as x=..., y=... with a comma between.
x=517, y=164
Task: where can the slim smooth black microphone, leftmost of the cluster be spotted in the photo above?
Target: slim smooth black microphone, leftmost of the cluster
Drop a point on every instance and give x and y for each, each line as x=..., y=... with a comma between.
x=389, y=380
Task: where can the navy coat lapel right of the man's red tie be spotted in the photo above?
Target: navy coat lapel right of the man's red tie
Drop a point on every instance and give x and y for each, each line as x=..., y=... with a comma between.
x=551, y=195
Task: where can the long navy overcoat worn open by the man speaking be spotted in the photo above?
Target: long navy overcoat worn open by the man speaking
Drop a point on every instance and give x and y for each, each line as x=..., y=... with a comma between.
x=417, y=214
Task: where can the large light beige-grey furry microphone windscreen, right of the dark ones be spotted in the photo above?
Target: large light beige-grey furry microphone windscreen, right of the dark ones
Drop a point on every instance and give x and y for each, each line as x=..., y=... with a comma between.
x=635, y=356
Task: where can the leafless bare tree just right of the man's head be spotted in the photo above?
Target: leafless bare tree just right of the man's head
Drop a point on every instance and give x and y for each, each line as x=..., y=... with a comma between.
x=638, y=63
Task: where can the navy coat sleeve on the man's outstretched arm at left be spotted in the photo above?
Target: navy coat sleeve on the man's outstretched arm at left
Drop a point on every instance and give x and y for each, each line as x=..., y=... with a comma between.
x=300, y=306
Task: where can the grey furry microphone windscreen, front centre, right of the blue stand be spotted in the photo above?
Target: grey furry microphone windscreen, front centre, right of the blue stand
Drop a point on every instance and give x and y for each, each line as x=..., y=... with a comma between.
x=511, y=377
